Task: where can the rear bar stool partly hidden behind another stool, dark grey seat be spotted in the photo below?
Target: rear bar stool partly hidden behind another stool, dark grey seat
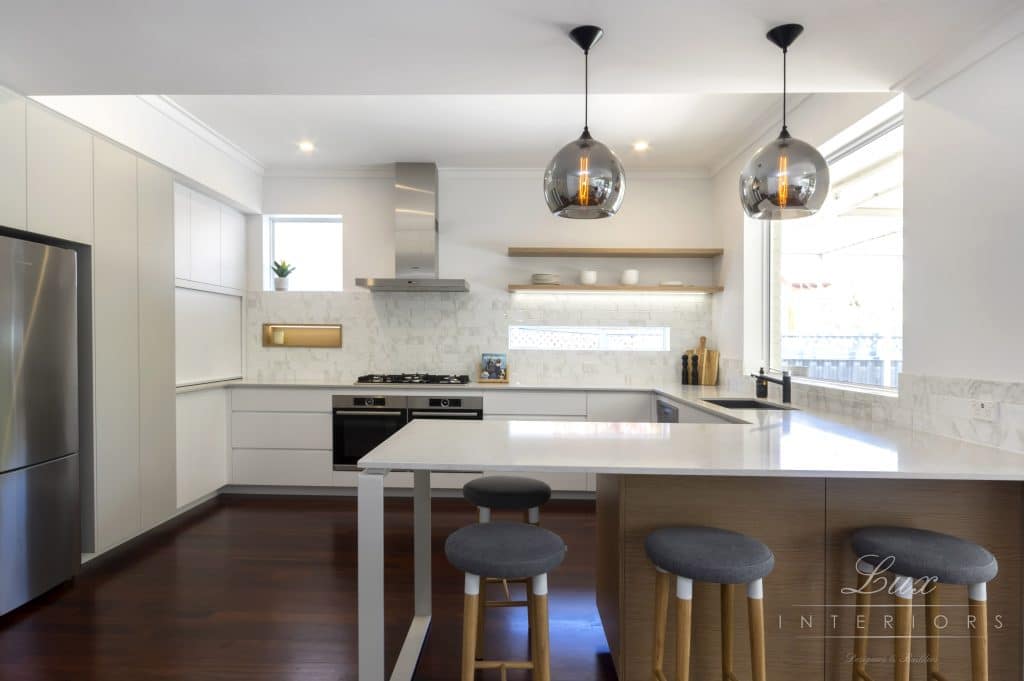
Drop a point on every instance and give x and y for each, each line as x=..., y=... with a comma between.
x=505, y=493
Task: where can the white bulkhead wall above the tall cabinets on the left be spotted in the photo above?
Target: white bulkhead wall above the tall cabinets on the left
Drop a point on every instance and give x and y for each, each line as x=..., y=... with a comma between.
x=156, y=130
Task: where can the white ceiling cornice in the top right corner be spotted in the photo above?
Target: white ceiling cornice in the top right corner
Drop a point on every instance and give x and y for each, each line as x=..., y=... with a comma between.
x=952, y=63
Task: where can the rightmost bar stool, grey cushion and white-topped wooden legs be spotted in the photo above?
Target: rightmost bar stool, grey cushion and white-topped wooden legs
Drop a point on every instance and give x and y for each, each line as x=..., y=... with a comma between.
x=919, y=560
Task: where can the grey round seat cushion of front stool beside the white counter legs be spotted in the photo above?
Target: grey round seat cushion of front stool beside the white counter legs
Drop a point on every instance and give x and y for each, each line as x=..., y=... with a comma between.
x=505, y=550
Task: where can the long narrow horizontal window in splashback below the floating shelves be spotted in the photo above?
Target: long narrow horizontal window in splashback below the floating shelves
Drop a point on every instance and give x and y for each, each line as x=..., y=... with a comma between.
x=608, y=339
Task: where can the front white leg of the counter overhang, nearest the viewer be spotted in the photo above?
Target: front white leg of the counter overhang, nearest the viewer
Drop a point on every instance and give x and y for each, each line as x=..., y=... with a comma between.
x=370, y=577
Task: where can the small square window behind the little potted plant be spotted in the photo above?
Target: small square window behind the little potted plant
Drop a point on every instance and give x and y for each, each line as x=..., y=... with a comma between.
x=314, y=246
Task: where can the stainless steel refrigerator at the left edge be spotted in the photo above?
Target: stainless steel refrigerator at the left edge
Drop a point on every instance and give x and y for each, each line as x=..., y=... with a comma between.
x=40, y=528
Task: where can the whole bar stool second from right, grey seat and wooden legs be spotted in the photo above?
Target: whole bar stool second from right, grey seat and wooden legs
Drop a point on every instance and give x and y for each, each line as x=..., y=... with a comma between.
x=717, y=557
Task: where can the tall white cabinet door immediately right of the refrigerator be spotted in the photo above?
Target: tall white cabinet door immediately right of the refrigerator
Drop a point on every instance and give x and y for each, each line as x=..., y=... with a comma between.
x=116, y=328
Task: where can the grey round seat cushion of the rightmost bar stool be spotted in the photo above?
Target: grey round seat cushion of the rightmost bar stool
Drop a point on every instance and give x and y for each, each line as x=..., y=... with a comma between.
x=922, y=554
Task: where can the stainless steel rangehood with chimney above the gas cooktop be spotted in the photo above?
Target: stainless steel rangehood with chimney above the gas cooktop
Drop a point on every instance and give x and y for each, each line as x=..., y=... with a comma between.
x=415, y=236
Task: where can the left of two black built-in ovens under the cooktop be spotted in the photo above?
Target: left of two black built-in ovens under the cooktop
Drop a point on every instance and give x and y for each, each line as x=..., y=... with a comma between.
x=363, y=422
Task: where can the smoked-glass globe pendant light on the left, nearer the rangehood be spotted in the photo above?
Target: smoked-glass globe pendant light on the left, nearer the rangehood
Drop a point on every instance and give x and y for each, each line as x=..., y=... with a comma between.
x=585, y=180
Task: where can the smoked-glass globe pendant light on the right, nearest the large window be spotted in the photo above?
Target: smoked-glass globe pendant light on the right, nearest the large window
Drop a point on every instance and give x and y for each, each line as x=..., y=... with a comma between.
x=787, y=179
